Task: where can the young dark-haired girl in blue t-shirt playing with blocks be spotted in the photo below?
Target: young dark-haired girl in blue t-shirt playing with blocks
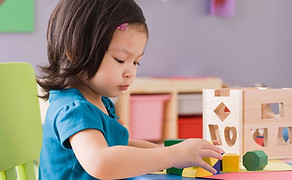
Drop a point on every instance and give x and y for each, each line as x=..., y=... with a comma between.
x=94, y=48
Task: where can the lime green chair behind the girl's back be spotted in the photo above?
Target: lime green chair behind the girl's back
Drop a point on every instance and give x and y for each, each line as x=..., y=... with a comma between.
x=20, y=122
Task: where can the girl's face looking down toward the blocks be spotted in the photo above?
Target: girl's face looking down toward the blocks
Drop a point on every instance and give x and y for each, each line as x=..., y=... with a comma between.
x=119, y=65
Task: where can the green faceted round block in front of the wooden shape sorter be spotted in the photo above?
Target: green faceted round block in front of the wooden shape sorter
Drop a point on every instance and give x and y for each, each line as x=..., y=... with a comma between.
x=255, y=160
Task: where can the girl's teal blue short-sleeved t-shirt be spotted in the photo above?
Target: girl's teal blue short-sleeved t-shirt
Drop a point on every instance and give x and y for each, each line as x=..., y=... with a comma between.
x=69, y=112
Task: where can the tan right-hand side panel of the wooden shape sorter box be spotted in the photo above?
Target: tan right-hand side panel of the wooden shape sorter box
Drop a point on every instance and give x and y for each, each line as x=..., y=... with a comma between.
x=259, y=116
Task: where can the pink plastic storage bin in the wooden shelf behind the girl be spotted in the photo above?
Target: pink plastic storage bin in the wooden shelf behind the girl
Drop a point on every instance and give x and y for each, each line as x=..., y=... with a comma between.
x=146, y=116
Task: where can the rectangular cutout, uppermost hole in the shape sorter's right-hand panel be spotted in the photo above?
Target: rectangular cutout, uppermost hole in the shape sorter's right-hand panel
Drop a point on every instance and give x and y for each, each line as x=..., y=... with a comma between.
x=272, y=110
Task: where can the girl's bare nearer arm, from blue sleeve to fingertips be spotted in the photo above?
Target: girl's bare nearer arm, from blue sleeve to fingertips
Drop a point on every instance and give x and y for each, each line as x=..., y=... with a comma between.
x=117, y=162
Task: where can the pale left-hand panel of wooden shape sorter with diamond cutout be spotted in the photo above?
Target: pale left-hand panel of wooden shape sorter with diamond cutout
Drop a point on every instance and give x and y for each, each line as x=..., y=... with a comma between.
x=223, y=124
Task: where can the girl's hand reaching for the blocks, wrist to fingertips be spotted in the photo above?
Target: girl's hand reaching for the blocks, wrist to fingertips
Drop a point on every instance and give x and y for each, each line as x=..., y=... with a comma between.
x=191, y=151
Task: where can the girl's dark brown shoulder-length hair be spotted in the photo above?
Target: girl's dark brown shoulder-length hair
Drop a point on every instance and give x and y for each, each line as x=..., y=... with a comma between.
x=81, y=30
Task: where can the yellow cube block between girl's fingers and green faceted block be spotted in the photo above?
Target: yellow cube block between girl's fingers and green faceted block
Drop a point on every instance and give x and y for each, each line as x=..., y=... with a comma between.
x=230, y=162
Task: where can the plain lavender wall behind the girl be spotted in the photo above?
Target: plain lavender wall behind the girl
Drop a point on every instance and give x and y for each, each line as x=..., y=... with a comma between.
x=252, y=46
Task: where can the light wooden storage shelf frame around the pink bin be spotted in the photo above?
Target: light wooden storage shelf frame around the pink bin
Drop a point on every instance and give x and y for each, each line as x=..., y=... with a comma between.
x=174, y=87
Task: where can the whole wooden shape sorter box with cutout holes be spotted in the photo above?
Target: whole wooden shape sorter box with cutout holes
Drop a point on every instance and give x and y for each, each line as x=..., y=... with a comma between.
x=249, y=119
